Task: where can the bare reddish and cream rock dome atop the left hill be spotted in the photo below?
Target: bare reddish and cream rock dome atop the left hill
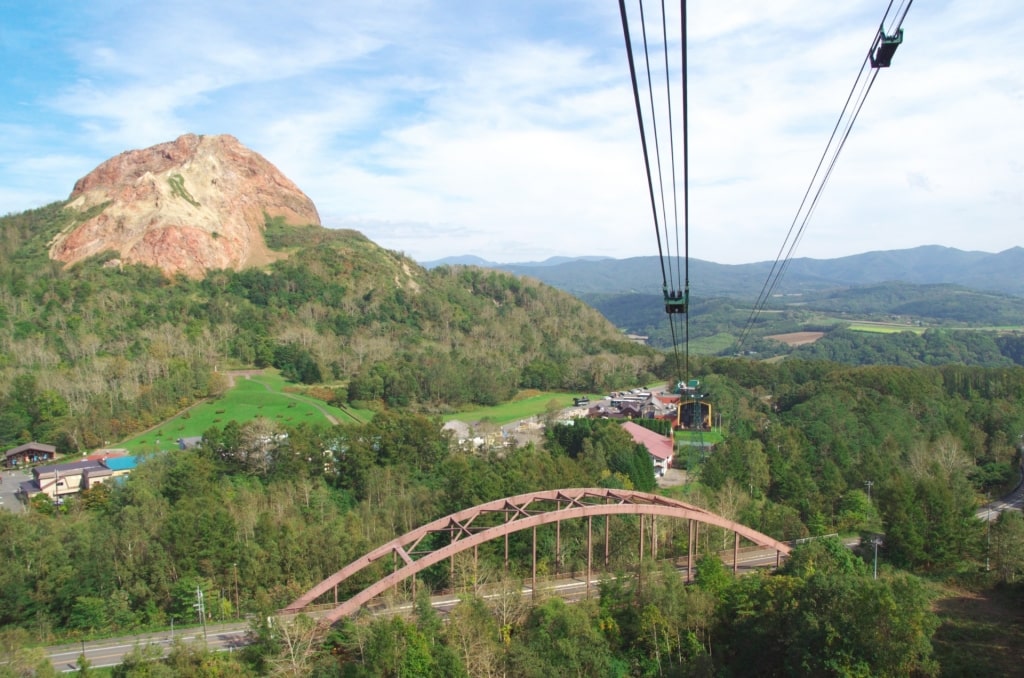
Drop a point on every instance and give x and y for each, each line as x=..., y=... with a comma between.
x=187, y=207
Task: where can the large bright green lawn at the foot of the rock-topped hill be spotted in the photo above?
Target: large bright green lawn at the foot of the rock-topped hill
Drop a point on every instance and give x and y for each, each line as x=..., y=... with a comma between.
x=258, y=396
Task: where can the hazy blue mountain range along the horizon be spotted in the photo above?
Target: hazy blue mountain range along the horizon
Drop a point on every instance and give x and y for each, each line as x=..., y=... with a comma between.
x=930, y=265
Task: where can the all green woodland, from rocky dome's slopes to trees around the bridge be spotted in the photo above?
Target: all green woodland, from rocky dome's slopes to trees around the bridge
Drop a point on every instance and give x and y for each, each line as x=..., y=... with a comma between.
x=93, y=354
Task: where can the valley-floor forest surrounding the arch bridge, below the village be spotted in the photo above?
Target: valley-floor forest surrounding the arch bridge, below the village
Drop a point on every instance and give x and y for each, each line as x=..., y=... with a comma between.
x=804, y=441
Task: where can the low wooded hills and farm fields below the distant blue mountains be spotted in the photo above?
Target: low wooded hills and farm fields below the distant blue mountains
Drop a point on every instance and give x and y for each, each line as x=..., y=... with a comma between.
x=921, y=325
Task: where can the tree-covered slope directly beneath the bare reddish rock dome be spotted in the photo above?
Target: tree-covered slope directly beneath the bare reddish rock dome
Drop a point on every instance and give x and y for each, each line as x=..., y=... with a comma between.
x=95, y=353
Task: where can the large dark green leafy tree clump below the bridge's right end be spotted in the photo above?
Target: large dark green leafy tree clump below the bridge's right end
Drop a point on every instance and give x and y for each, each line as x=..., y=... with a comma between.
x=830, y=623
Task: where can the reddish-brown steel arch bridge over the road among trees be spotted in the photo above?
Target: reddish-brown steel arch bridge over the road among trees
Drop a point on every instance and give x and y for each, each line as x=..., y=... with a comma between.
x=466, y=530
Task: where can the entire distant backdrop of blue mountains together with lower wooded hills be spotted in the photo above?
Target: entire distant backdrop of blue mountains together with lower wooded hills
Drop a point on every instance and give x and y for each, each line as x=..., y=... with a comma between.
x=925, y=287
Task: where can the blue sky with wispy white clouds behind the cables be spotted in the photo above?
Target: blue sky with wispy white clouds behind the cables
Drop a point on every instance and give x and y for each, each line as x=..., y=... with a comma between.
x=507, y=130
